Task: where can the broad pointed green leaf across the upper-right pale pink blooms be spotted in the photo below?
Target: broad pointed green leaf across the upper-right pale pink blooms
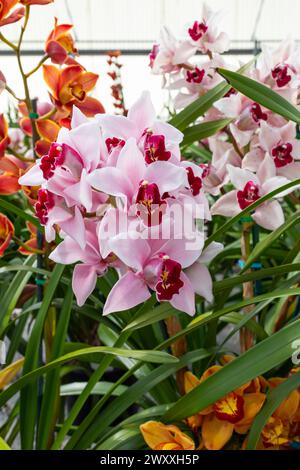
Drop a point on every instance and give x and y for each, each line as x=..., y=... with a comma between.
x=261, y=94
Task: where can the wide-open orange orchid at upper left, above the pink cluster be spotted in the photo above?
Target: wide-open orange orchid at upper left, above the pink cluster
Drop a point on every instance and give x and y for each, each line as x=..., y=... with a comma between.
x=69, y=86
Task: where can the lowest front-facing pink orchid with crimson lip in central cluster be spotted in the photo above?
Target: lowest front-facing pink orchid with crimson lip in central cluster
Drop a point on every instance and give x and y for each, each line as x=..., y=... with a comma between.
x=157, y=265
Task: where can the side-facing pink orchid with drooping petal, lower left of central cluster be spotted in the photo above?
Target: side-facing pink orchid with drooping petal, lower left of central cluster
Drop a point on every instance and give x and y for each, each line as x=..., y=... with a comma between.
x=90, y=266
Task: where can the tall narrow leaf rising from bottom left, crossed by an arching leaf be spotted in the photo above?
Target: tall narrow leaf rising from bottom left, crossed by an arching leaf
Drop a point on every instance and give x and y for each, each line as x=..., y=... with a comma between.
x=29, y=395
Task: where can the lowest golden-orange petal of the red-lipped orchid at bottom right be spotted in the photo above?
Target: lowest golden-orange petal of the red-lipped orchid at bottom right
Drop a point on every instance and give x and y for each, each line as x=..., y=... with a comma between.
x=215, y=433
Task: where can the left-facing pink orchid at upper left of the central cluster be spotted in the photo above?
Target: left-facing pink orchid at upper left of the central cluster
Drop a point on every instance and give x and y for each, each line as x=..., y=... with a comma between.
x=65, y=169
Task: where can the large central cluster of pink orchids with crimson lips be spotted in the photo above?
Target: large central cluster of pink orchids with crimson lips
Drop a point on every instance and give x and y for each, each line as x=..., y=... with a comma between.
x=111, y=187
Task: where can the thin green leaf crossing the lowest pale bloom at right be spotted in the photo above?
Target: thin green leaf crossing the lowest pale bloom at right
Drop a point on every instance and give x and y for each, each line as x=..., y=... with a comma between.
x=224, y=228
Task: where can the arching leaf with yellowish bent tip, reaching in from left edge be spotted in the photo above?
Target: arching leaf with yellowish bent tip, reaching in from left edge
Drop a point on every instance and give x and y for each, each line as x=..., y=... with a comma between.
x=156, y=357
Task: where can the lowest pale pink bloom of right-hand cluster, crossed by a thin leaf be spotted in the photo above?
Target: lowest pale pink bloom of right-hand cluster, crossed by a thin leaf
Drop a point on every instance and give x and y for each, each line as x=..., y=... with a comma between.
x=249, y=188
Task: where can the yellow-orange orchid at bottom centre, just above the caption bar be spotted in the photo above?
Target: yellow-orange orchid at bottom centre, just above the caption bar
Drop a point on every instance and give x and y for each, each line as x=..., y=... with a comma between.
x=159, y=436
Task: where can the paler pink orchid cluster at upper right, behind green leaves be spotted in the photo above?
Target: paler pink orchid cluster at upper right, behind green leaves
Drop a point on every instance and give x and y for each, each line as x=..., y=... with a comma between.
x=258, y=151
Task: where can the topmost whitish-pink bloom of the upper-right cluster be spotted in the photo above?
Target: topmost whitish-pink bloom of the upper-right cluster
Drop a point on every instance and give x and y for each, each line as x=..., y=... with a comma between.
x=205, y=34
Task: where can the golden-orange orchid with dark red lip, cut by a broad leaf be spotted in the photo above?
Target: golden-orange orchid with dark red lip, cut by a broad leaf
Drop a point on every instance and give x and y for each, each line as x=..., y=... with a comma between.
x=234, y=412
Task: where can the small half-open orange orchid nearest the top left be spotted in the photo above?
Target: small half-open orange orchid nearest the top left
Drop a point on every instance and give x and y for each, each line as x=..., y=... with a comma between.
x=59, y=43
